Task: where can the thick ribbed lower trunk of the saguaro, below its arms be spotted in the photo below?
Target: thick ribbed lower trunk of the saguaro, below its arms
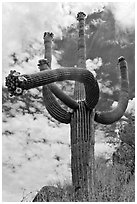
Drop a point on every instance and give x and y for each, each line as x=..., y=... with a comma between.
x=82, y=152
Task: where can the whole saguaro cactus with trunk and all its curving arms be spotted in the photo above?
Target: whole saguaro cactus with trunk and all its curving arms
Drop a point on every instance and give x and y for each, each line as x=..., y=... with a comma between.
x=81, y=119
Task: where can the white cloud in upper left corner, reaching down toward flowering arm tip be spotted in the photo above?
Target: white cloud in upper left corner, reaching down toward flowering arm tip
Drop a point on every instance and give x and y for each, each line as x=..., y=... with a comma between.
x=24, y=24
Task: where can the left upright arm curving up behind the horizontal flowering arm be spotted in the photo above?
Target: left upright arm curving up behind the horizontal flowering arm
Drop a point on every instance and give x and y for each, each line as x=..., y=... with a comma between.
x=52, y=106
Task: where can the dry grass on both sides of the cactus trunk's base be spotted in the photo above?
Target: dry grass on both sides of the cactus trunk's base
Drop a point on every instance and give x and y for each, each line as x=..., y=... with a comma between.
x=111, y=186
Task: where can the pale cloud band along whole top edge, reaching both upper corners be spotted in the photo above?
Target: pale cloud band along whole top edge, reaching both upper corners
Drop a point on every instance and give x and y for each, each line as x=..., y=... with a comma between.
x=25, y=23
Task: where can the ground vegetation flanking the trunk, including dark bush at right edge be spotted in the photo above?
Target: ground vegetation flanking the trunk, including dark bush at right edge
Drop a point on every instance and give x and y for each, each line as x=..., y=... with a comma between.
x=115, y=177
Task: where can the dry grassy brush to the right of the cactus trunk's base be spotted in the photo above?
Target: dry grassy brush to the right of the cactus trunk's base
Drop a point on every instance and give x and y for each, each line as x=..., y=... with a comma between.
x=111, y=183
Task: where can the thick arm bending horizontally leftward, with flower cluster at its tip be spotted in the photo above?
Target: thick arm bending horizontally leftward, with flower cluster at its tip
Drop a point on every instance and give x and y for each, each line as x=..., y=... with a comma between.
x=46, y=77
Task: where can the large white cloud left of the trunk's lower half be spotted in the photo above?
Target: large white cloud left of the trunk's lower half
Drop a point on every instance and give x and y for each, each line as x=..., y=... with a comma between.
x=24, y=143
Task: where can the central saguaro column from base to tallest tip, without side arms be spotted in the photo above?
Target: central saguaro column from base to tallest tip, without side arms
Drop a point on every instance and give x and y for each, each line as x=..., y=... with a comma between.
x=82, y=131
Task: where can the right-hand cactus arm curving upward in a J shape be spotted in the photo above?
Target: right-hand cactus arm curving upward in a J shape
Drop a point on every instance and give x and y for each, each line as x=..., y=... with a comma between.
x=114, y=115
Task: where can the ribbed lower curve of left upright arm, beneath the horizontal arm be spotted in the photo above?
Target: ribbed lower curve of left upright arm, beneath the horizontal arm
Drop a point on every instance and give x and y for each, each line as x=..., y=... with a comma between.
x=54, y=108
